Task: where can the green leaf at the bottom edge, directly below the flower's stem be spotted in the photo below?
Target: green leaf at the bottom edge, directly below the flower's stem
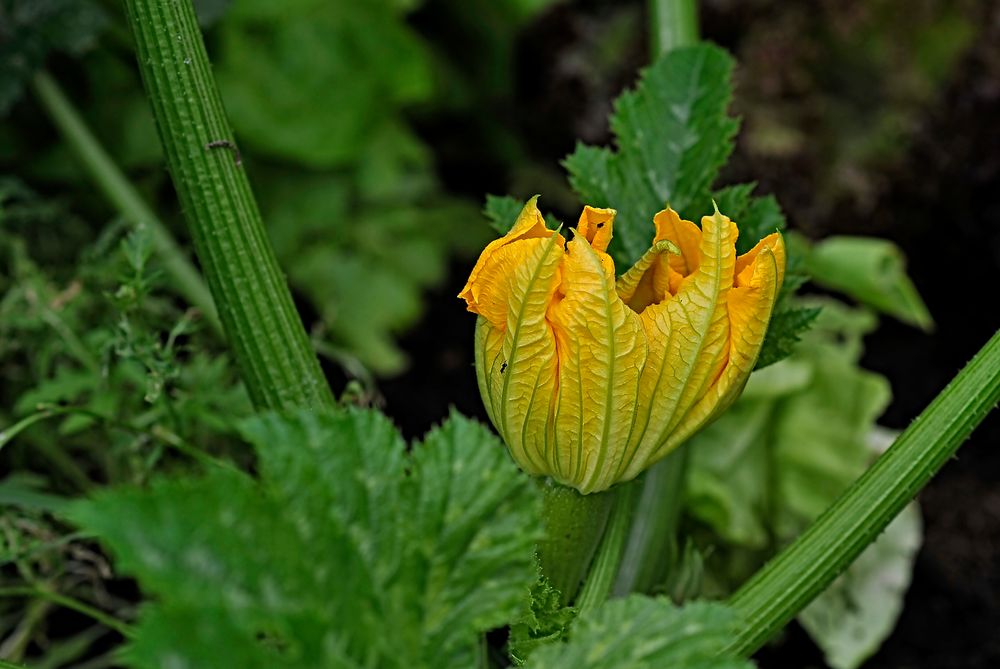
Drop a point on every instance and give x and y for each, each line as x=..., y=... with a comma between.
x=642, y=632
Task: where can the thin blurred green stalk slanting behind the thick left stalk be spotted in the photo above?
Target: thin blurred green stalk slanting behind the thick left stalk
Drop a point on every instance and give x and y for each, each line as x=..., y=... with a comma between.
x=122, y=194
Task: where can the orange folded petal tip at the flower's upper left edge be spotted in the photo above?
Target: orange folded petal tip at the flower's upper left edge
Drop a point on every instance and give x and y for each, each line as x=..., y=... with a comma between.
x=487, y=290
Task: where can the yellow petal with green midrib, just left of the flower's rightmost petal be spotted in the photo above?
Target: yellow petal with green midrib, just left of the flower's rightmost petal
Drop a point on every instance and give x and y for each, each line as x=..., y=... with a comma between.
x=688, y=335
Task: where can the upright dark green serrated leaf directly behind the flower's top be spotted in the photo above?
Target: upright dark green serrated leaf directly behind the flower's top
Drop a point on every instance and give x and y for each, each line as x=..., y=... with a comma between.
x=672, y=134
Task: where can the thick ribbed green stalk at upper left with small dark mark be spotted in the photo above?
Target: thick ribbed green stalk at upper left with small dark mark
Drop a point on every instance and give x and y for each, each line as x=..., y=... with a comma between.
x=264, y=330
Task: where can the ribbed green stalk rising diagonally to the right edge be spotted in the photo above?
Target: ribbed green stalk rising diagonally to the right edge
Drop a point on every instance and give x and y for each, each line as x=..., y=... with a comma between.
x=805, y=568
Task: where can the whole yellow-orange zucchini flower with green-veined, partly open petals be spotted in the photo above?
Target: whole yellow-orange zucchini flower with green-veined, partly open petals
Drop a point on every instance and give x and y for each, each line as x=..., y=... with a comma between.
x=590, y=380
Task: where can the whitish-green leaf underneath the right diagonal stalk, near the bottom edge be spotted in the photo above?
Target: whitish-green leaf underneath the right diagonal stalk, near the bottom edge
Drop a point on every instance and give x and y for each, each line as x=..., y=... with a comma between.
x=852, y=618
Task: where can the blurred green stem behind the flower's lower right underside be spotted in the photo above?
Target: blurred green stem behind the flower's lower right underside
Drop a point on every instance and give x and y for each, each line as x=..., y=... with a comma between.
x=651, y=548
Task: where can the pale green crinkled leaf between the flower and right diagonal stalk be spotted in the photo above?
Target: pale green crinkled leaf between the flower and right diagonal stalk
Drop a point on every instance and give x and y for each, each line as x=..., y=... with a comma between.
x=793, y=442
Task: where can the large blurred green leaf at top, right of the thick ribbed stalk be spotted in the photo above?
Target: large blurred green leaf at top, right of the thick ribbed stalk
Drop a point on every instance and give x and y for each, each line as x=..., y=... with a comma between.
x=358, y=62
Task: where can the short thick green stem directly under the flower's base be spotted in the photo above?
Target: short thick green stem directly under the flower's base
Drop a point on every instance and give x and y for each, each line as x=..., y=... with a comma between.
x=574, y=525
